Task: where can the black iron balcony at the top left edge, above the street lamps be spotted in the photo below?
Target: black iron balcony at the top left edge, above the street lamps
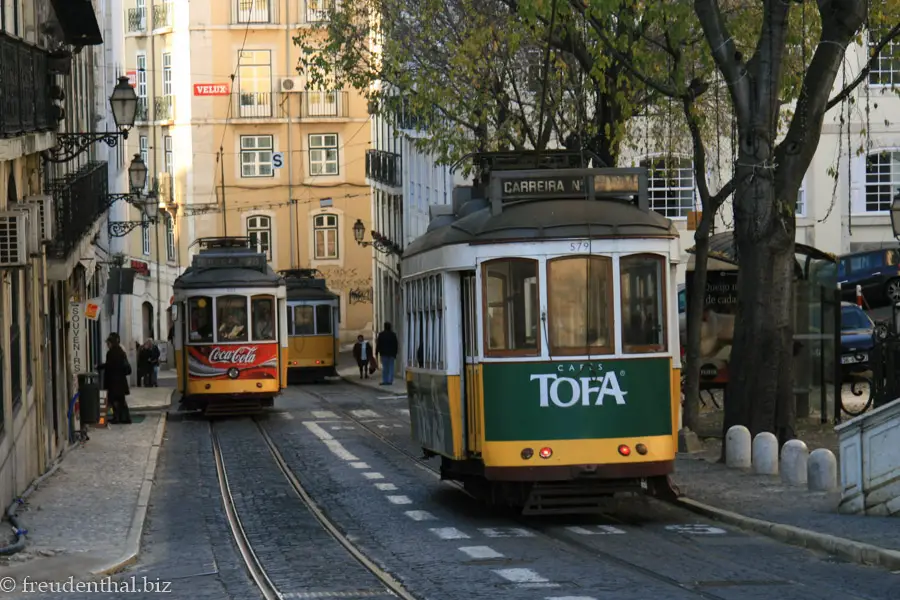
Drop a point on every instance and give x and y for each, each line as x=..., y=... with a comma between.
x=25, y=105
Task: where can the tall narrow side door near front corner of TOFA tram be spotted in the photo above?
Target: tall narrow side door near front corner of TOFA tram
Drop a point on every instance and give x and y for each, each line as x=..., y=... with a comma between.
x=471, y=387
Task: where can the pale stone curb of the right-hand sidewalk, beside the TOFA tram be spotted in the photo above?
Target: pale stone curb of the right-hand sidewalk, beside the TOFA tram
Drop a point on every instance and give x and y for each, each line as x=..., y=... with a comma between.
x=850, y=550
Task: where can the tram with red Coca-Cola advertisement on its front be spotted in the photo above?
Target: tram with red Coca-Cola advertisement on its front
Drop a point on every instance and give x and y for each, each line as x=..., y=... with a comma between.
x=231, y=342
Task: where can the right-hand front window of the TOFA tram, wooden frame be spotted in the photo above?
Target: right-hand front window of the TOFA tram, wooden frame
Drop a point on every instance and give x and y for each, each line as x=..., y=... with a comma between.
x=643, y=292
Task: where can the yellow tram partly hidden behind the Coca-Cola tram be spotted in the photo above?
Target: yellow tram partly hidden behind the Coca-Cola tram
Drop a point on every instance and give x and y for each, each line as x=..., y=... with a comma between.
x=313, y=326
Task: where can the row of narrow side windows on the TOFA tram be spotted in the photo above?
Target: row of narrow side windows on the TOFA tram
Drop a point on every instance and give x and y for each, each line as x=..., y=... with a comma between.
x=425, y=322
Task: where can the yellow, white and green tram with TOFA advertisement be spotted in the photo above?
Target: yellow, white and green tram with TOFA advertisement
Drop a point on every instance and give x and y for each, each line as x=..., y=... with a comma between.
x=541, y=326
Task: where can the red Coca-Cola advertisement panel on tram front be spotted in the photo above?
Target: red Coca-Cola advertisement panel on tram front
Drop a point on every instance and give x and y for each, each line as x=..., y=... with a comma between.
x=233, y=361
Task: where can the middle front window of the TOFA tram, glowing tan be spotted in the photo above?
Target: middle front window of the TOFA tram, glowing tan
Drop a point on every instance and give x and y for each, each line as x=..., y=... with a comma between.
x=579, y=291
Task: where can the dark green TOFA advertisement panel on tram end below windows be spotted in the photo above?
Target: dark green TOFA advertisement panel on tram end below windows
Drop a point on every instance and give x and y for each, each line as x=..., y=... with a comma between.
x=564, y=400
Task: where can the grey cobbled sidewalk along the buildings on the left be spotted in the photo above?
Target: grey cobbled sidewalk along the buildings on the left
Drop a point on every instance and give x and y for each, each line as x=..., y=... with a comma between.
x=85, y=518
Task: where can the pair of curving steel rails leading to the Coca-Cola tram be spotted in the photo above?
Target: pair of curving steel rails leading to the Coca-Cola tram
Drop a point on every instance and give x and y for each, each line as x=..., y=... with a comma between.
x=252, y=559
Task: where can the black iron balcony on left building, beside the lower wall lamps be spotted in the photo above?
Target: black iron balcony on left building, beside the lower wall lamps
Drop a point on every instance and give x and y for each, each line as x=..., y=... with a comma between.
x=79, y=201
